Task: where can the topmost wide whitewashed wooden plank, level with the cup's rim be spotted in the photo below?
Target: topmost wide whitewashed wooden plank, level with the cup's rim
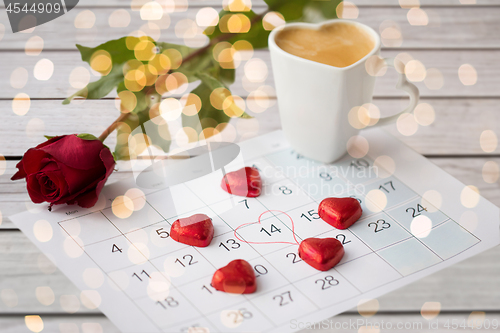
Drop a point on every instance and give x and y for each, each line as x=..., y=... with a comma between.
x=448, y=27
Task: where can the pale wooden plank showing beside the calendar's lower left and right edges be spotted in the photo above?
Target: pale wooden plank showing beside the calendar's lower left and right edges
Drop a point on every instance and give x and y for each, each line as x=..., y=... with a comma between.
x=456, y=287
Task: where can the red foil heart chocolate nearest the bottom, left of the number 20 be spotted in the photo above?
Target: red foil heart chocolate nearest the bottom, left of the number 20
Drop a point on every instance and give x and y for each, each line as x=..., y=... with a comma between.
x=237, y=277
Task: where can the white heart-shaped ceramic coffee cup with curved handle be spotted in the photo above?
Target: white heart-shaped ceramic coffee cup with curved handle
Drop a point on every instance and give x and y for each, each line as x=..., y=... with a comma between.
x=315, y=99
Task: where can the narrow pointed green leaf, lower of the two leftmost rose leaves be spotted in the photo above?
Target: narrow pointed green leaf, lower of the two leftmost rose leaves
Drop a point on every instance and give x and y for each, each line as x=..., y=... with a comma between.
x=100, y=88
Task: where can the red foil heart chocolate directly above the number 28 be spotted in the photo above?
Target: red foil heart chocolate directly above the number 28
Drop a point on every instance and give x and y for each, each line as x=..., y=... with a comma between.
x=321, y=253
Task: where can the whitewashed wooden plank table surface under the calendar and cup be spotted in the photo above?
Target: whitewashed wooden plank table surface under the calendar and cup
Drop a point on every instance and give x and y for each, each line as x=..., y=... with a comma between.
x=462, y=139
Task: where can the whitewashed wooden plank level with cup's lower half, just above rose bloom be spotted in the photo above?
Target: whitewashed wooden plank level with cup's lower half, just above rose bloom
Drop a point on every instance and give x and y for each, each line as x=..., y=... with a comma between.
x=457, y=128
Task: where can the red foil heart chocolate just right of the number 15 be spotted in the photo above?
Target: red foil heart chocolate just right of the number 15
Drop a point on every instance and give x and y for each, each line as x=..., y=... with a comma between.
x=341, y=213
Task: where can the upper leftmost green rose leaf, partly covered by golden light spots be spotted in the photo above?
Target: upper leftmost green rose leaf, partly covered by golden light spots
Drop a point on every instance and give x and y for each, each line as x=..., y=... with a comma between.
x=117, y=48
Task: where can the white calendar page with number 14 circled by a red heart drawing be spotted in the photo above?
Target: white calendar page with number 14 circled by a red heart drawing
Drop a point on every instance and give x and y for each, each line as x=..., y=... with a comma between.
x=143, y=281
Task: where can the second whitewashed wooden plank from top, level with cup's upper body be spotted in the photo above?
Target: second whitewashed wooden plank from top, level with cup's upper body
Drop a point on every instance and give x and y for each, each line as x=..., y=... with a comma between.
x=446, y=61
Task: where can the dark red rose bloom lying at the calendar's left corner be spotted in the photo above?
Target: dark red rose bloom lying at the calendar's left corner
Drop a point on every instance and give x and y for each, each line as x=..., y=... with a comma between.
x=66, y=169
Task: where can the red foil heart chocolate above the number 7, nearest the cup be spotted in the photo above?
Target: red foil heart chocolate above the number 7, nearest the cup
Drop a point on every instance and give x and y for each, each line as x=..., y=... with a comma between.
x=245, y=182
